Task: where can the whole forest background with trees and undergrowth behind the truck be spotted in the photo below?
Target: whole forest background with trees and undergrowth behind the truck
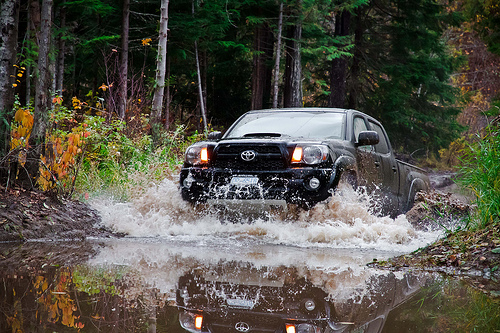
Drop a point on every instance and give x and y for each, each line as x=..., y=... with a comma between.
x=106, y=94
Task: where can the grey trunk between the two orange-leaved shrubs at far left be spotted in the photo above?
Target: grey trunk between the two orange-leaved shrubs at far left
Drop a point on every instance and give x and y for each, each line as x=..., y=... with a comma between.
x=37, y=138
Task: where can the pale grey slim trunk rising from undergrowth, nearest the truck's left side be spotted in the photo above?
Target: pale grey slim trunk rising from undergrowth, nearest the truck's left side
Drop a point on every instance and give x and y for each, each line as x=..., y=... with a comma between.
x=161, y=64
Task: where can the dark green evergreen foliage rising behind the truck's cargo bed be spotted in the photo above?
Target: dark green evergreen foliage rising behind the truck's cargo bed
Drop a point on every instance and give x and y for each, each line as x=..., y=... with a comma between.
x=406, y=78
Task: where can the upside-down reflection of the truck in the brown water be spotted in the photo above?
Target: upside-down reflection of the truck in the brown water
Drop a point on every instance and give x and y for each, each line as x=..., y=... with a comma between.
x=212, y=302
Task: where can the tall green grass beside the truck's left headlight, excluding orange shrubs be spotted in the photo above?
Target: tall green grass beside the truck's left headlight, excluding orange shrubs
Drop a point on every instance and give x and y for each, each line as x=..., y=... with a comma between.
x=123, y=167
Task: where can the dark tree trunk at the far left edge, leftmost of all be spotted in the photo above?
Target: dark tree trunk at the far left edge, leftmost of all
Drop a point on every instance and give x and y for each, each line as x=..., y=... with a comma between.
x=9, y=20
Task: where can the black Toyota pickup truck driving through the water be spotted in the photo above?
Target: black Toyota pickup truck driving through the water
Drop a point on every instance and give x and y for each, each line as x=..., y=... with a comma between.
x=298, y=156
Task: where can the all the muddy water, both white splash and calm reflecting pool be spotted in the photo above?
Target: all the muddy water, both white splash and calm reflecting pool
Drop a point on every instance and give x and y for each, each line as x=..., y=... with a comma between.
x=302, y=270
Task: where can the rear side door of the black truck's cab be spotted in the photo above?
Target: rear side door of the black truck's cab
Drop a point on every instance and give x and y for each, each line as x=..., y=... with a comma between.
x=386, y=162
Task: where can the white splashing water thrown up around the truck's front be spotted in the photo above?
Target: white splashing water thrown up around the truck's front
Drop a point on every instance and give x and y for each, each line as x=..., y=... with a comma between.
x=344, y=221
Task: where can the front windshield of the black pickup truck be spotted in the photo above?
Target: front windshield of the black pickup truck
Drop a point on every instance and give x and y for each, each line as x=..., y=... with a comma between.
x=313, y=125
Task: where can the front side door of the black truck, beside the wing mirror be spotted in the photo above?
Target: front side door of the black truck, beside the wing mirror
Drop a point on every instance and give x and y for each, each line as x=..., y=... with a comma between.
x=370, y=174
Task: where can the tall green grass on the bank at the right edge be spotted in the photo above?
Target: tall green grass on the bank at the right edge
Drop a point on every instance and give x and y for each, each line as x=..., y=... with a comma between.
x=480, y=172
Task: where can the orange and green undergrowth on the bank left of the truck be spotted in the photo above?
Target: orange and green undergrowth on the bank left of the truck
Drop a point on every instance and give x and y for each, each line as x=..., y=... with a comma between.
x=87, y=154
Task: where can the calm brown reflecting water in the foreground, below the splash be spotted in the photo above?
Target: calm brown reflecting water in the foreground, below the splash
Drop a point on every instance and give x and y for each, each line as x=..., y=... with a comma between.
x=145, y=285
